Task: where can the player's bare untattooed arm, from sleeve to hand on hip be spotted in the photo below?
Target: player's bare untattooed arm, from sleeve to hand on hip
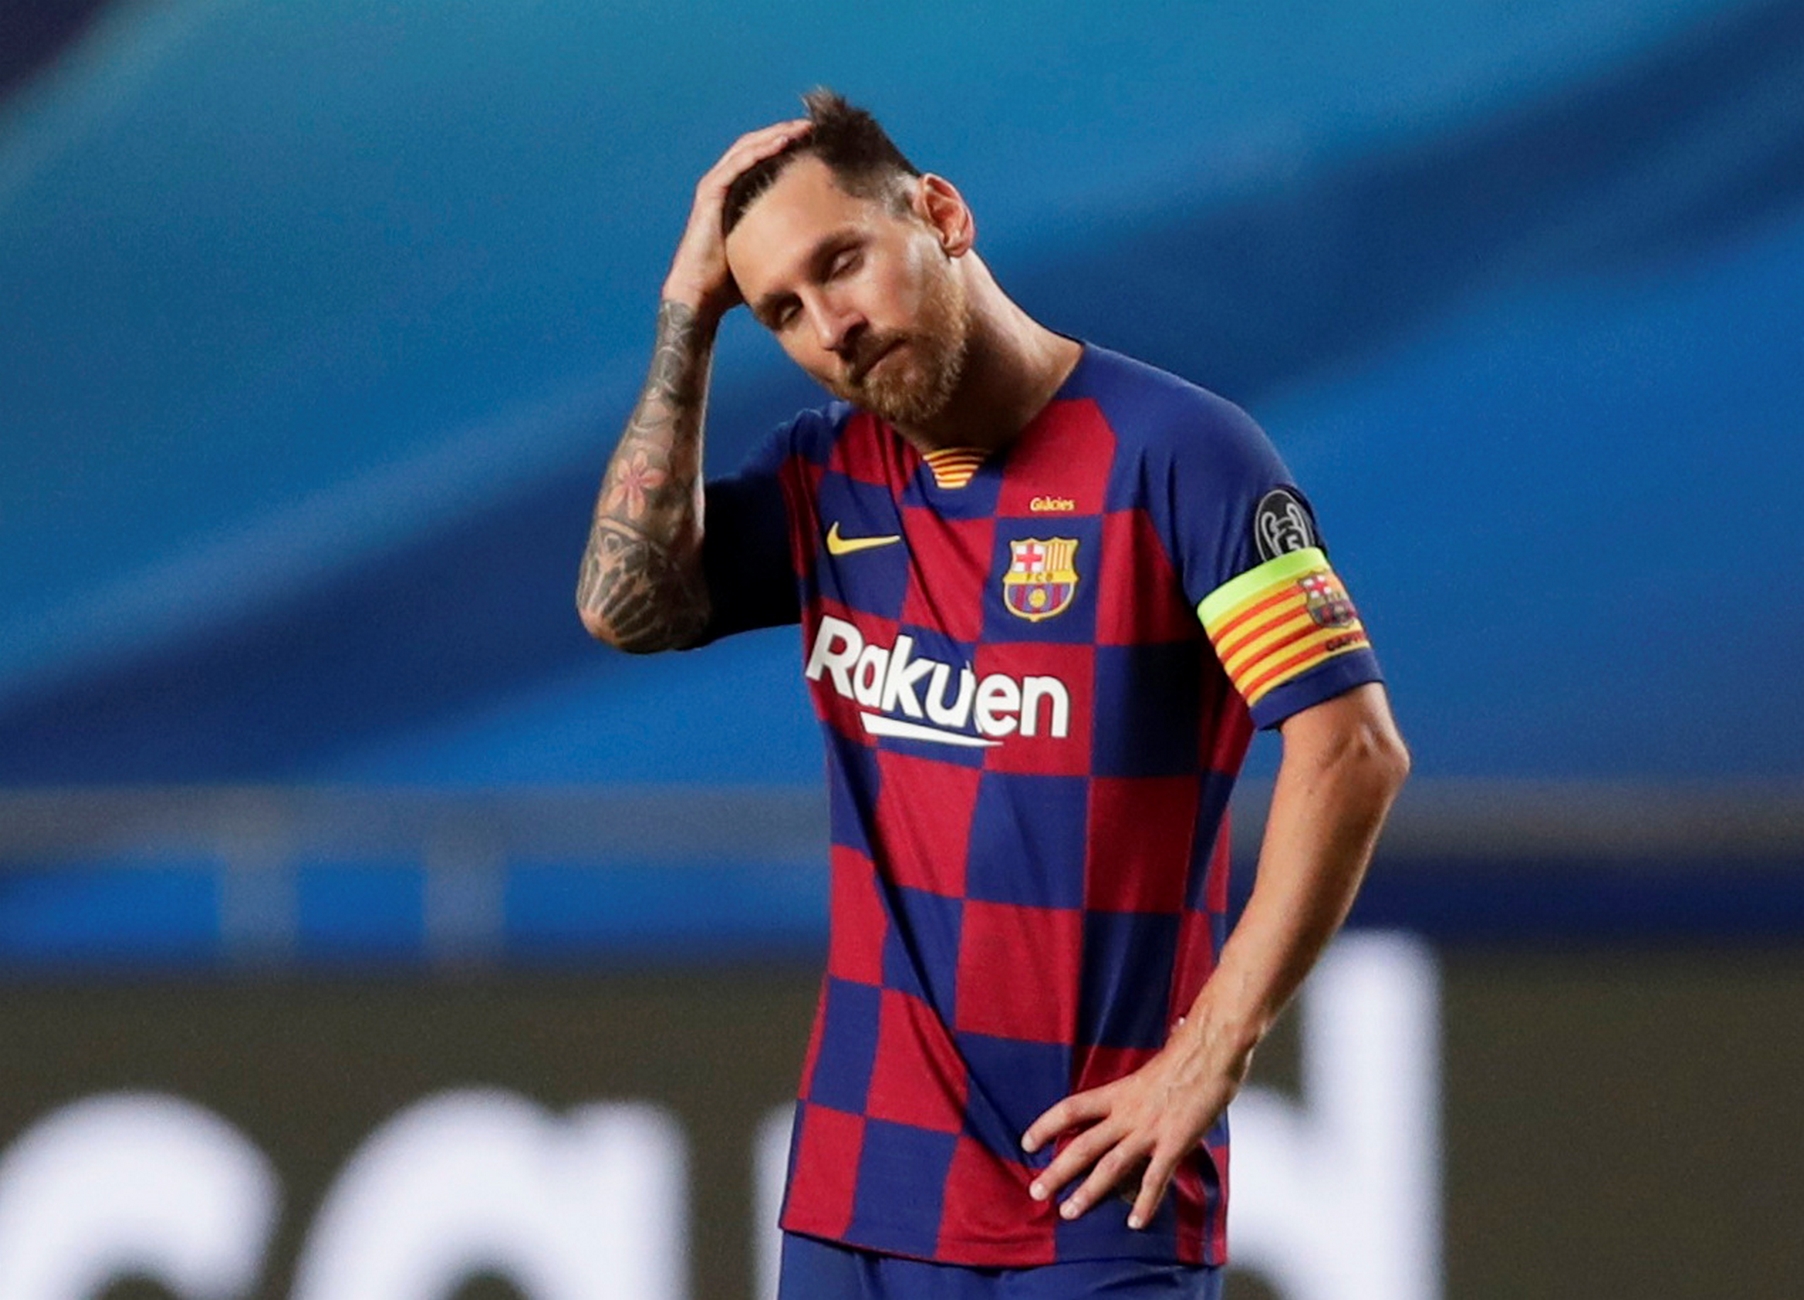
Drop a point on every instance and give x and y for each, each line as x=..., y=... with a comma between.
x=1343, y=767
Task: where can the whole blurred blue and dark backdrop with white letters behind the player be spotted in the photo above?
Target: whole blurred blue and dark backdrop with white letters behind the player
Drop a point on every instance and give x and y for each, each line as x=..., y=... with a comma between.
x=369, y=935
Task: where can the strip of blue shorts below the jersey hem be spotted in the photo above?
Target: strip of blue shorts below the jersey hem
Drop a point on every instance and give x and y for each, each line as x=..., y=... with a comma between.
x=818, y=1270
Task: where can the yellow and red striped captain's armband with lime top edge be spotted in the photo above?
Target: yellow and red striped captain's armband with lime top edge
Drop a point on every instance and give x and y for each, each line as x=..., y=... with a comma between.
x=1278, y=621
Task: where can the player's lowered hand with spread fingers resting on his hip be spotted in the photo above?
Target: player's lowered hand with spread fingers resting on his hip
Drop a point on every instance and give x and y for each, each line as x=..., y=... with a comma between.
x=1143, y=1124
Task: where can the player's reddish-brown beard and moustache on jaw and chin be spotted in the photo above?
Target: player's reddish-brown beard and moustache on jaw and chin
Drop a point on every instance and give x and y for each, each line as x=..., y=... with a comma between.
x=912, y=387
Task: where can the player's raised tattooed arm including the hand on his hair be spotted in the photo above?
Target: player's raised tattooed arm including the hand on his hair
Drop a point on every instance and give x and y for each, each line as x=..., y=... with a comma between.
x=641, y=583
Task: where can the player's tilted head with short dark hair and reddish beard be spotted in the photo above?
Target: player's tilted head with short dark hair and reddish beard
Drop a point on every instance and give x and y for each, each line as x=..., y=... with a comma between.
x=849, y=255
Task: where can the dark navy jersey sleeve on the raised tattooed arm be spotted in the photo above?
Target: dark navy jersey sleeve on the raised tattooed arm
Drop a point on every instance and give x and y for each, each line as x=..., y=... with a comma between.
x=746, y=547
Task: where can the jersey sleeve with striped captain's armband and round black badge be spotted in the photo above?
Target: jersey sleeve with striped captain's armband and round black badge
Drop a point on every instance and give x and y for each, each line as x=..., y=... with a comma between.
x=1255, y=567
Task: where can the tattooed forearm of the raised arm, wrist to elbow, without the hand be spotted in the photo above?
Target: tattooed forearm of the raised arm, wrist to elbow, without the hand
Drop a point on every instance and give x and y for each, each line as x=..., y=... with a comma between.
x=641, y=585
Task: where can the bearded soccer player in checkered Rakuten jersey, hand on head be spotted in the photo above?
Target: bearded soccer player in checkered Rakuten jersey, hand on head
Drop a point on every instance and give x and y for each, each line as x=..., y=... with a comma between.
x=1047, y=594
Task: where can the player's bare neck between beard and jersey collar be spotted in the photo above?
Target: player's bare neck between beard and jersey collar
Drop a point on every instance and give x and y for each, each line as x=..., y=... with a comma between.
x=1013, y=369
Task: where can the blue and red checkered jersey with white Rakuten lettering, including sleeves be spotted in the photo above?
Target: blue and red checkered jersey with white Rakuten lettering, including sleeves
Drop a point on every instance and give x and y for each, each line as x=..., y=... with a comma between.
x=1038, y=675
